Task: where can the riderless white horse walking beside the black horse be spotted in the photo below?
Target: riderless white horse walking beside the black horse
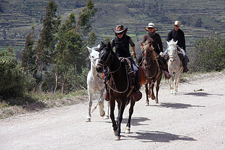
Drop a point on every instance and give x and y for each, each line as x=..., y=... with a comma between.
x=95, y=84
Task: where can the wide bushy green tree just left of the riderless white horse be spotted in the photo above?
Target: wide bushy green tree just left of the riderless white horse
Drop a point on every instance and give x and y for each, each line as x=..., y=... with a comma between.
x=73, y=37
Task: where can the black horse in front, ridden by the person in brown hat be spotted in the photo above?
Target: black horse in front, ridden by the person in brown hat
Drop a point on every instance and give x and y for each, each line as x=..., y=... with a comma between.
x=120, y=86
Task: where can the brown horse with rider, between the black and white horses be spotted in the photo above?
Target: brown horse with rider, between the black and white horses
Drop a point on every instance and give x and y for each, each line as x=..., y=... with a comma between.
x=153, y=72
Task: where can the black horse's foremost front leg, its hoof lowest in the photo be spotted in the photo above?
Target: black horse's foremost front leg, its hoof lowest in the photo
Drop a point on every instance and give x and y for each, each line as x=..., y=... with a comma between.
x=120, y=118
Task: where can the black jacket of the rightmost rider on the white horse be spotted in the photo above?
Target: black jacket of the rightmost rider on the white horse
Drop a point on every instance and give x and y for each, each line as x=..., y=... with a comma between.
x=177, y=36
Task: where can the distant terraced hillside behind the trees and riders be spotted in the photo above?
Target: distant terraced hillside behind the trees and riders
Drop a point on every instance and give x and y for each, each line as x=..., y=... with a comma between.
x=198, y=18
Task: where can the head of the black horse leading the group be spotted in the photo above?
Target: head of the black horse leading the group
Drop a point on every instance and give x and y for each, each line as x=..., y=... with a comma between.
x=105, y=56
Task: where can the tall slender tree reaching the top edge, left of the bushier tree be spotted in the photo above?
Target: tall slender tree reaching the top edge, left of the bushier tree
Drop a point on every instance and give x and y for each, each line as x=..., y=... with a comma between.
x=46, y=43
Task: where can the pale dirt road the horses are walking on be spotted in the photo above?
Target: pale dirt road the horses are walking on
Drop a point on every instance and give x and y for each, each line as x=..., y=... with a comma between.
x=194, y=119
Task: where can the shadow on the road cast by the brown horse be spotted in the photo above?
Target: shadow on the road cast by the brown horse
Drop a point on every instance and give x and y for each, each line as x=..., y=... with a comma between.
x=177, y=105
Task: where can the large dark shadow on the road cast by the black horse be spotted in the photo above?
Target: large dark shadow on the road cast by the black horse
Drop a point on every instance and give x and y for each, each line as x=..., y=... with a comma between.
x=157, y=136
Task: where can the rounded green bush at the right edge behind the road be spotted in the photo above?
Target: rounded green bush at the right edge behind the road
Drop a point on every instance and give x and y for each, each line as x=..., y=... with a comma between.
x=208, y=54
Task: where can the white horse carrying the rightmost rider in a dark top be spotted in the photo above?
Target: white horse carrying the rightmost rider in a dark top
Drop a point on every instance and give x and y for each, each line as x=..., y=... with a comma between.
x=174, y=65
